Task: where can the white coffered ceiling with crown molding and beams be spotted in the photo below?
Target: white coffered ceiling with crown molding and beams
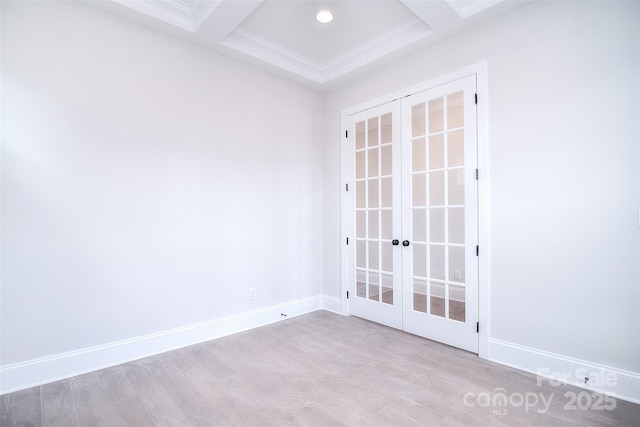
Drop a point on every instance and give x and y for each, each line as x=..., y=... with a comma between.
x=284, y=36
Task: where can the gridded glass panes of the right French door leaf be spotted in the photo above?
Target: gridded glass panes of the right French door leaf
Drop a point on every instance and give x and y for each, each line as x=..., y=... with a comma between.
x=437, y=206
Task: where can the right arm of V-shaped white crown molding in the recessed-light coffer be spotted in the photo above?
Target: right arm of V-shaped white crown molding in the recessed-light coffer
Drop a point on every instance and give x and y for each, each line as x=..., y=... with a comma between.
x=399, y=36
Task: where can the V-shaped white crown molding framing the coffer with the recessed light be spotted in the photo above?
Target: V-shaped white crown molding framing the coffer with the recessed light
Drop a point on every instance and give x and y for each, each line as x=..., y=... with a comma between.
x=381, y=45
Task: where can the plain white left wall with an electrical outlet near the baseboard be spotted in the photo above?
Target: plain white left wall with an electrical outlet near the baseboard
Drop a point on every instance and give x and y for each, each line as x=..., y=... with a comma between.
x=146, y=183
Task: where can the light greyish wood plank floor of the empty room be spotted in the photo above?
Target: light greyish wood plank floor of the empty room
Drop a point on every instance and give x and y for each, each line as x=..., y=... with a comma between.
x=320, y=369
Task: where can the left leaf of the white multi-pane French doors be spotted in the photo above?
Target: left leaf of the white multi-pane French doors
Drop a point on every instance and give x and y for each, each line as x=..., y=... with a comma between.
x=374, y=174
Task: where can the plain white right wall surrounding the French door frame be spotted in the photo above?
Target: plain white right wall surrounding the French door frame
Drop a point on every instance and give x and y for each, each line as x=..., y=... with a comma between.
x=563, y=85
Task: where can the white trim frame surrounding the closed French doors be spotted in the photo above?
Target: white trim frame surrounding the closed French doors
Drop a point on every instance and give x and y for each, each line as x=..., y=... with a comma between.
x=480, y=71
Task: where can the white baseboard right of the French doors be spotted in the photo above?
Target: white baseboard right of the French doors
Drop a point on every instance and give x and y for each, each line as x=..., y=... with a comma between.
x=614, y=382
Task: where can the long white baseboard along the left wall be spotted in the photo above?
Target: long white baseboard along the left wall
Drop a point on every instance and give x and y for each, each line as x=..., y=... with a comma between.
x=19, y=376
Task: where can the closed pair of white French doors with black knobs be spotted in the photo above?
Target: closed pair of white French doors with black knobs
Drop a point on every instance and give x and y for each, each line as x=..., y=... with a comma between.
x=412, y=214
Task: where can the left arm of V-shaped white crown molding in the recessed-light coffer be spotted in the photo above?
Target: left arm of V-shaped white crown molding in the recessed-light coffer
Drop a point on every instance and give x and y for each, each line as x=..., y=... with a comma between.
x=261, y=48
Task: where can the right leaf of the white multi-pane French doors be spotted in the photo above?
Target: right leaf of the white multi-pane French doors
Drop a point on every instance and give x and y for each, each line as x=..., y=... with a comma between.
x=440, y=272
